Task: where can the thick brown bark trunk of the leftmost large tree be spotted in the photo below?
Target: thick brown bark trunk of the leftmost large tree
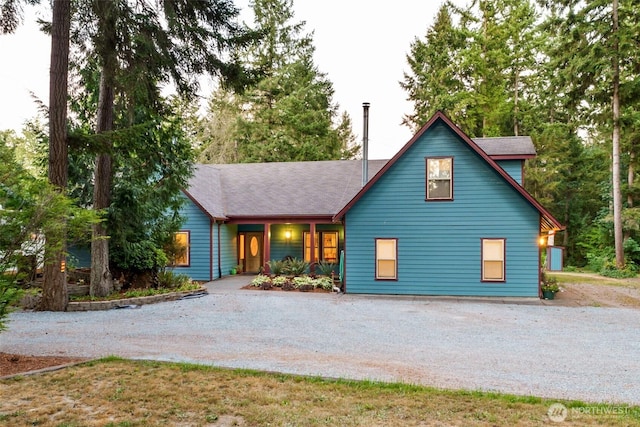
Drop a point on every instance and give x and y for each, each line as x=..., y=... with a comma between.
x=54, y=291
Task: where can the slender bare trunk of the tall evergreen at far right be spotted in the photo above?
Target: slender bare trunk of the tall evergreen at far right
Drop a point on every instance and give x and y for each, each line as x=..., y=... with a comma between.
x=617, y=195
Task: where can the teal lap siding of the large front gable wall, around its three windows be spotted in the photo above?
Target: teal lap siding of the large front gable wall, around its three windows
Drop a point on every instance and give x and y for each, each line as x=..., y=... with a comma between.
x=439, y=243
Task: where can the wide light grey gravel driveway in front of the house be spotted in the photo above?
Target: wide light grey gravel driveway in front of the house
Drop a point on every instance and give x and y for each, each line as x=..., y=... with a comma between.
x=584, y=353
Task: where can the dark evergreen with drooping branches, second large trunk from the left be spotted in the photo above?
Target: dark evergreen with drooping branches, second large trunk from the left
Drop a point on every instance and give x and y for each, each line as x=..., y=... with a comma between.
x=137, y=47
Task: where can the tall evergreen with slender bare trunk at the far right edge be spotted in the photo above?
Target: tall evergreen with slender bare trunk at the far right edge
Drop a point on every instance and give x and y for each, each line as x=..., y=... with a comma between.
x=597, y=56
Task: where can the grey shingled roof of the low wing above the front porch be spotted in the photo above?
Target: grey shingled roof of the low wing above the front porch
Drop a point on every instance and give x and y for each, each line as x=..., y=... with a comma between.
x=277, y=190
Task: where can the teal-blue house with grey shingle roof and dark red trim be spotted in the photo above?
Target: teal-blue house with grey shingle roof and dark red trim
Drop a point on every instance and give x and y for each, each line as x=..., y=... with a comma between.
x=447, y=215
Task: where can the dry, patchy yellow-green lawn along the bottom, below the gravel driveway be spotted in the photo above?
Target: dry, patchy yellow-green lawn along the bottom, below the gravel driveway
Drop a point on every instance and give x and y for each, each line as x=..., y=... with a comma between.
x=117, y=392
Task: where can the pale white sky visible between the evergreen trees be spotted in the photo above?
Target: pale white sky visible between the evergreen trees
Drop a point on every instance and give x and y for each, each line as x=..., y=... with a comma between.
x=361, y=45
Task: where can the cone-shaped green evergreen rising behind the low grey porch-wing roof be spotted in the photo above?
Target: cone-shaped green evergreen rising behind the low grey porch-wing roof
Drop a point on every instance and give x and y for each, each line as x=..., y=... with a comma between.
x=289, y=113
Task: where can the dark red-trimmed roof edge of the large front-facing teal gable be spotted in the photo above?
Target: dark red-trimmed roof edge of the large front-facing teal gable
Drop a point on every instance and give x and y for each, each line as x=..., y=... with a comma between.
x=547, y=222
